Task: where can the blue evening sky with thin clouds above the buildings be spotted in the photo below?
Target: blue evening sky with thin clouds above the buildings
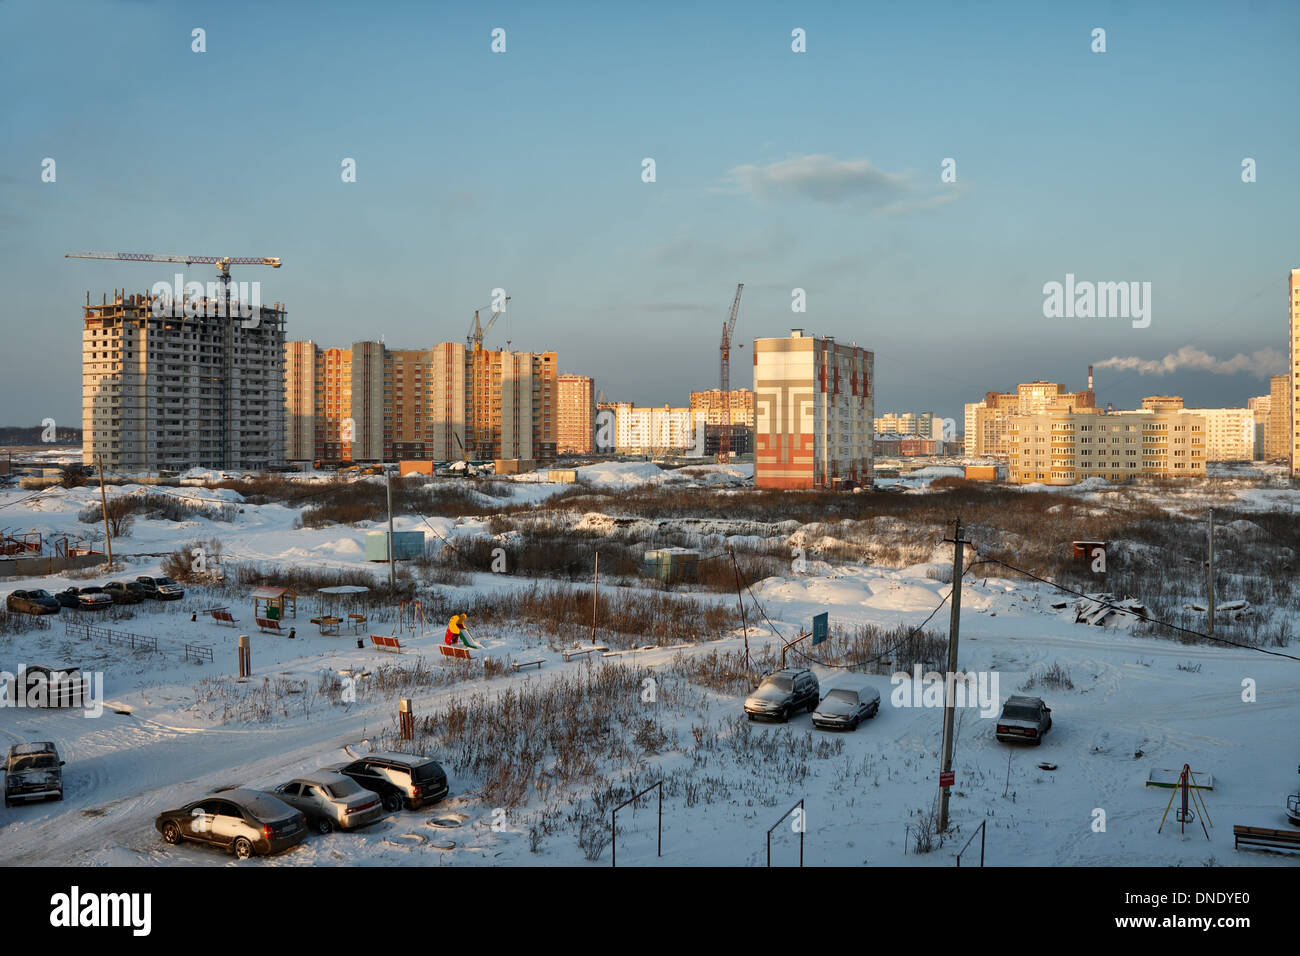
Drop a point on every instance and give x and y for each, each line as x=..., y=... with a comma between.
x=523, y=171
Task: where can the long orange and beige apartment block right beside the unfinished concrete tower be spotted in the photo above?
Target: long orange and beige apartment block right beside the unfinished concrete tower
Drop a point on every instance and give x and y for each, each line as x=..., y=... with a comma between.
x=371, y=404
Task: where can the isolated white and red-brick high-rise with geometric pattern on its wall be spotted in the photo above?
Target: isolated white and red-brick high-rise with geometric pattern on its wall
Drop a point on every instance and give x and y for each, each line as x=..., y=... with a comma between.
x=813, y=401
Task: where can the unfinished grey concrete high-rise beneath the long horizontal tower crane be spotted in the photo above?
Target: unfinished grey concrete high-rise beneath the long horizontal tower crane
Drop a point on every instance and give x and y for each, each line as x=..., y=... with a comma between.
x=175, y=386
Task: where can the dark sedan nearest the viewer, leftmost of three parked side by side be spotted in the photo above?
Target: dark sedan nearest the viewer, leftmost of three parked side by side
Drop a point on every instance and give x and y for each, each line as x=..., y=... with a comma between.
x=244, y=821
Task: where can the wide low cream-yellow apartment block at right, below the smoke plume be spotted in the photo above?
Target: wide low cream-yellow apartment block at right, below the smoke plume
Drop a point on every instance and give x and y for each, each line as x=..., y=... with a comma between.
x=1064, y=447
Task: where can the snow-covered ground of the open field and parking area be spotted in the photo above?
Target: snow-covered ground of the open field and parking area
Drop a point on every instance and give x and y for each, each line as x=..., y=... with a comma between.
x=172, y=730
